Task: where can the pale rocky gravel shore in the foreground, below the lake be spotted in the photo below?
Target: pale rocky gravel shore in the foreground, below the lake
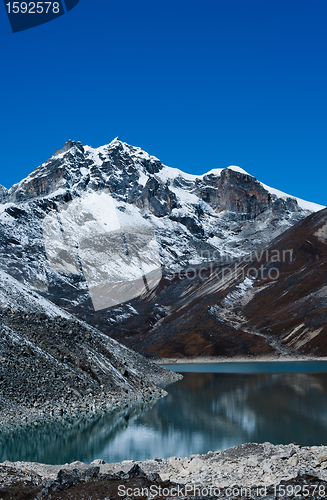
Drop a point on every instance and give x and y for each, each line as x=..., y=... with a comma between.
x=248, y=471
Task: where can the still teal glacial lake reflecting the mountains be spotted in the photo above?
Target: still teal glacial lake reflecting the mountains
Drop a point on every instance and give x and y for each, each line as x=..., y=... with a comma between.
x=214, y=407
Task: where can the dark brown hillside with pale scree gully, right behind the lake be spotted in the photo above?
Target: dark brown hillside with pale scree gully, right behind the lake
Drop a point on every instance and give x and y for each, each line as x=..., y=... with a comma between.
x=223, y=312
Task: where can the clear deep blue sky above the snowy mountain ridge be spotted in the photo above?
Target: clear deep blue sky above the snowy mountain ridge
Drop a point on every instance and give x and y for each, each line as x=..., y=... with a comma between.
x=200, y=84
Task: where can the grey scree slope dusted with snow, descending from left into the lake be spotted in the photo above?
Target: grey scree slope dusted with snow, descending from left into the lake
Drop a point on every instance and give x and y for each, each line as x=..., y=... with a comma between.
x=52, y=363
